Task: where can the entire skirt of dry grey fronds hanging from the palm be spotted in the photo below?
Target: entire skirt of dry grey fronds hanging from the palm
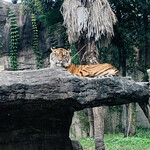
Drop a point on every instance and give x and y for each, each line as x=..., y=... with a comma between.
x=96, y=21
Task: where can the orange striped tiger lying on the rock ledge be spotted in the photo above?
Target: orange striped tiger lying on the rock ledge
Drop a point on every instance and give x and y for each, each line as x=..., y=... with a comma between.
x=61, y=57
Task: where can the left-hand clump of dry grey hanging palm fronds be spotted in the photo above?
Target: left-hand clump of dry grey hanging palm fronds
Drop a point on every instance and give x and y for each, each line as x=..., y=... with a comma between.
x=75, y=18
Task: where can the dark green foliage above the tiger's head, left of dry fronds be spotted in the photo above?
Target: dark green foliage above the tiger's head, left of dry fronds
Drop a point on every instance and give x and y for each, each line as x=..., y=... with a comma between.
x=50, y=16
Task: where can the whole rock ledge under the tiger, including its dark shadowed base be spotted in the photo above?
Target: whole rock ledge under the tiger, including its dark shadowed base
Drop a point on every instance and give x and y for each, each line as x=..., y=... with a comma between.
x=36, y=107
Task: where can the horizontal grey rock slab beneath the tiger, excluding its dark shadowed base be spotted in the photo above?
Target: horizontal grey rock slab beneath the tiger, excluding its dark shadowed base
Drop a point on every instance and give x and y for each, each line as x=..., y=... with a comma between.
x=57, y=86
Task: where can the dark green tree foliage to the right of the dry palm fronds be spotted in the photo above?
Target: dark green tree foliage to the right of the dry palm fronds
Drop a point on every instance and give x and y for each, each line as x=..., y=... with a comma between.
x=132, y=29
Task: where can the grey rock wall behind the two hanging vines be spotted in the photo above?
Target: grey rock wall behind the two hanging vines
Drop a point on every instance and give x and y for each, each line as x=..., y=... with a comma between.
x=26, y=56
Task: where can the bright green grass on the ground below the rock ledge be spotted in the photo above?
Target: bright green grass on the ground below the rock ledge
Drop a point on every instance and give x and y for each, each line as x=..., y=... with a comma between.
x=141, y=141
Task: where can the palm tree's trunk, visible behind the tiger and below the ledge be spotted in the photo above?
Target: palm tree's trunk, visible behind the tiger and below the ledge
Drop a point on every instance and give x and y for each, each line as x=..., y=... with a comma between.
x=92, y=58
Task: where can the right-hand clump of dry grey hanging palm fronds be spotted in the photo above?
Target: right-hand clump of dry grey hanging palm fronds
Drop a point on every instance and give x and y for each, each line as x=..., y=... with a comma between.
x=101, y=20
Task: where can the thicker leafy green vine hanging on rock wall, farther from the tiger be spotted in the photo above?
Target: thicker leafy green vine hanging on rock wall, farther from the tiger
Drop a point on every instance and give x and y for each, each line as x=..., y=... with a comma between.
x=14, y=40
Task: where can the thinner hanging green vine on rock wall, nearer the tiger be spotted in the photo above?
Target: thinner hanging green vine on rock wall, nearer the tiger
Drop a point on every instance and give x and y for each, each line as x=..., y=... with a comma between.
x=35, y=43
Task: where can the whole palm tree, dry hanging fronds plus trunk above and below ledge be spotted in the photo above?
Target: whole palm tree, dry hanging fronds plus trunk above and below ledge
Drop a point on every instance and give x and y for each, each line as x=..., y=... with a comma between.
x=87, y=21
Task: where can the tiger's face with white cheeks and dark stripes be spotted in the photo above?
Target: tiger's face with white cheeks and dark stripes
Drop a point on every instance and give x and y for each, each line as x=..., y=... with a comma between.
x=60, y=57
